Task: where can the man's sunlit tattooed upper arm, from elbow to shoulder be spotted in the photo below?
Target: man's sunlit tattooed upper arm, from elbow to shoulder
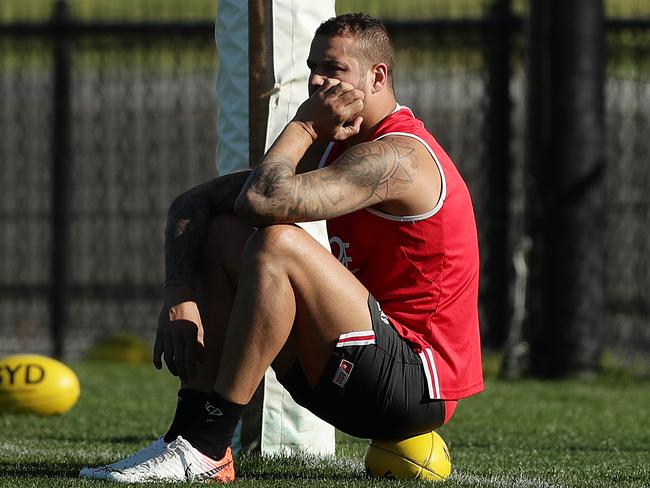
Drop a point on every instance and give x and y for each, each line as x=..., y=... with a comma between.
x=364, y=175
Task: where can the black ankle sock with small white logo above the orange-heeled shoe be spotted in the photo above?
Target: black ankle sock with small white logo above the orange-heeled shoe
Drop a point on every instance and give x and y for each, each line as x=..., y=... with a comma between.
x=212, y=429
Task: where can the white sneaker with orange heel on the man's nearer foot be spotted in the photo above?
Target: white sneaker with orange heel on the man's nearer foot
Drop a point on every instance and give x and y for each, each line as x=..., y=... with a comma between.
x=179, y=462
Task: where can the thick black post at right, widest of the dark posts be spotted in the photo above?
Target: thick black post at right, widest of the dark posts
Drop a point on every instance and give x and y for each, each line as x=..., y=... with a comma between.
x=566, y=161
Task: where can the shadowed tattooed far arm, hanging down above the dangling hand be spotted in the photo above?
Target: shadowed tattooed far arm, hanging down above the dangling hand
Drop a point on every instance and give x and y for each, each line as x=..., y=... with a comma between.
x=187, y=222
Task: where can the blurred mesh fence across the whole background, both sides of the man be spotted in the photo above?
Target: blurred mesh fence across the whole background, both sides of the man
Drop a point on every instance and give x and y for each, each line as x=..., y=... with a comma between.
x=142, y=129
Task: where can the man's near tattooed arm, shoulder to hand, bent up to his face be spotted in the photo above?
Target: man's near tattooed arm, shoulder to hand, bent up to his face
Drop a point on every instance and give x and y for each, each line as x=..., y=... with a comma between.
x=394, y=174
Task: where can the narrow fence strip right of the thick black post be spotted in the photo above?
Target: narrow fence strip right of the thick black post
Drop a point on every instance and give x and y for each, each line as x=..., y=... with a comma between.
x=627, y=245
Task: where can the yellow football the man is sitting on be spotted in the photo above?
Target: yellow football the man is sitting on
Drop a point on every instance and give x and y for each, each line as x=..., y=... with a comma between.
x=423, y=457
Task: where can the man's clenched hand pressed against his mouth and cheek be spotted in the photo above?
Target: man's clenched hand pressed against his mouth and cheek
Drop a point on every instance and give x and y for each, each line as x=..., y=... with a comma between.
x=332, y=112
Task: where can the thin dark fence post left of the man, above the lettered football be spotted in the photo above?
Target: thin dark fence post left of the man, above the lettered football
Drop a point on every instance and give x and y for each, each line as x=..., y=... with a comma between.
x=61, y=163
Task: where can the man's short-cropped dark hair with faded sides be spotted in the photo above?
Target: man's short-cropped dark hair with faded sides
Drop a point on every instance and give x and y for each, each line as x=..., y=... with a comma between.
x=373, y=43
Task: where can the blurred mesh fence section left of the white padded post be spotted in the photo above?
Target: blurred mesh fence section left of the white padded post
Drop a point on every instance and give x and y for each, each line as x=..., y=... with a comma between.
x=141, y=128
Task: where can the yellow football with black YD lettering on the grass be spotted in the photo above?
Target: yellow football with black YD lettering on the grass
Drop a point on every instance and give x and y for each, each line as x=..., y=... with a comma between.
x=30, y=383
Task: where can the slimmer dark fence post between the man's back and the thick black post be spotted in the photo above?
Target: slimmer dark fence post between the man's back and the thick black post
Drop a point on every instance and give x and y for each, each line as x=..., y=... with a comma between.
x=497, y=302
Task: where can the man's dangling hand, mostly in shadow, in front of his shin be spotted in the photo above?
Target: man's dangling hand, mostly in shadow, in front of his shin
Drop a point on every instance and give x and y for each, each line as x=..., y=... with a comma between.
x=179, y=338
